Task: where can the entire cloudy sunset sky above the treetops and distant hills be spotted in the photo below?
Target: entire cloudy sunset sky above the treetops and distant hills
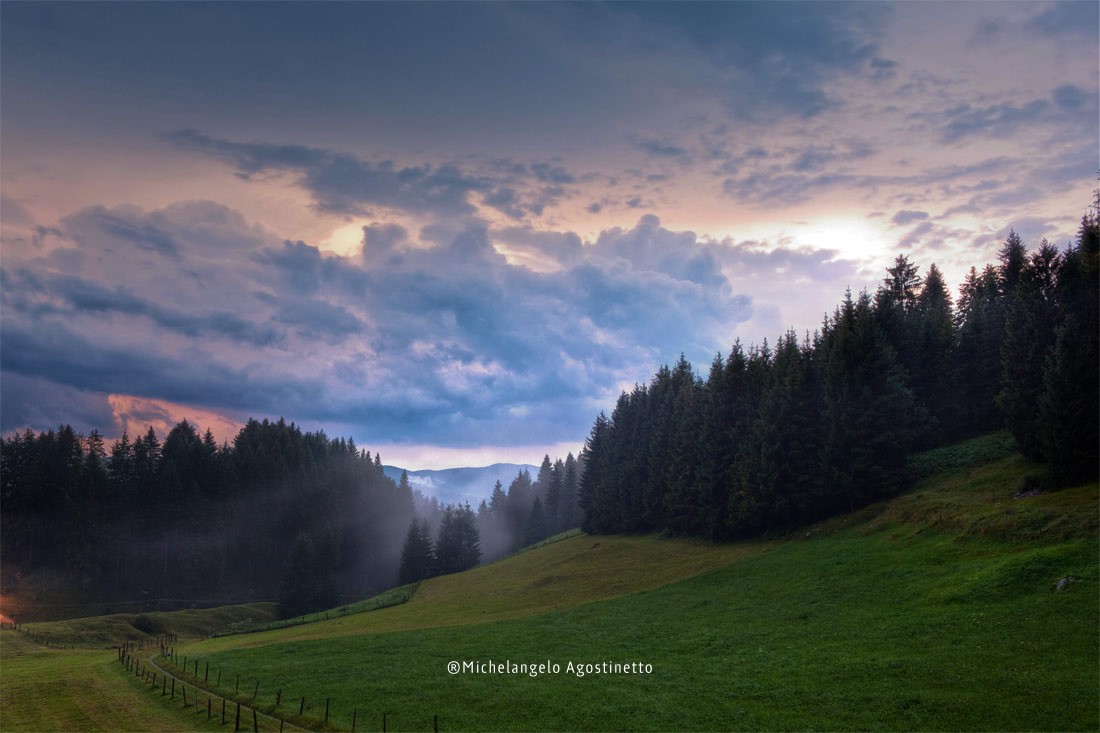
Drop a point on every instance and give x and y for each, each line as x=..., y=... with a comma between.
x=457, y=232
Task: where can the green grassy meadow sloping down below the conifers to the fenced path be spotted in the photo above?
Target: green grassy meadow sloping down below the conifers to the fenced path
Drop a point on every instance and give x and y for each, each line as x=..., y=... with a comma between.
x=936, y=610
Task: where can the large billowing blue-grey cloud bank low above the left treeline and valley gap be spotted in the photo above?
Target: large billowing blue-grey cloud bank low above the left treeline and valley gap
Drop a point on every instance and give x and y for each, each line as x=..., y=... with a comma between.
x=445, y=343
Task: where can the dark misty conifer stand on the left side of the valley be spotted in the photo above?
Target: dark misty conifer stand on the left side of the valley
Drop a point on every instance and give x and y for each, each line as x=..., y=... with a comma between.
x=190, y=519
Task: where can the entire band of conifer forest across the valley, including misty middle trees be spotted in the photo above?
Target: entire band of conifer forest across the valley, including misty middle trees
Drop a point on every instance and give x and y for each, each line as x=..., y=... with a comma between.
x=772, y=437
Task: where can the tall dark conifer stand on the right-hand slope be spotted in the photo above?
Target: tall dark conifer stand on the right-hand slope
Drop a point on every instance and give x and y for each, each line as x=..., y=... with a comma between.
x=776, y=437
